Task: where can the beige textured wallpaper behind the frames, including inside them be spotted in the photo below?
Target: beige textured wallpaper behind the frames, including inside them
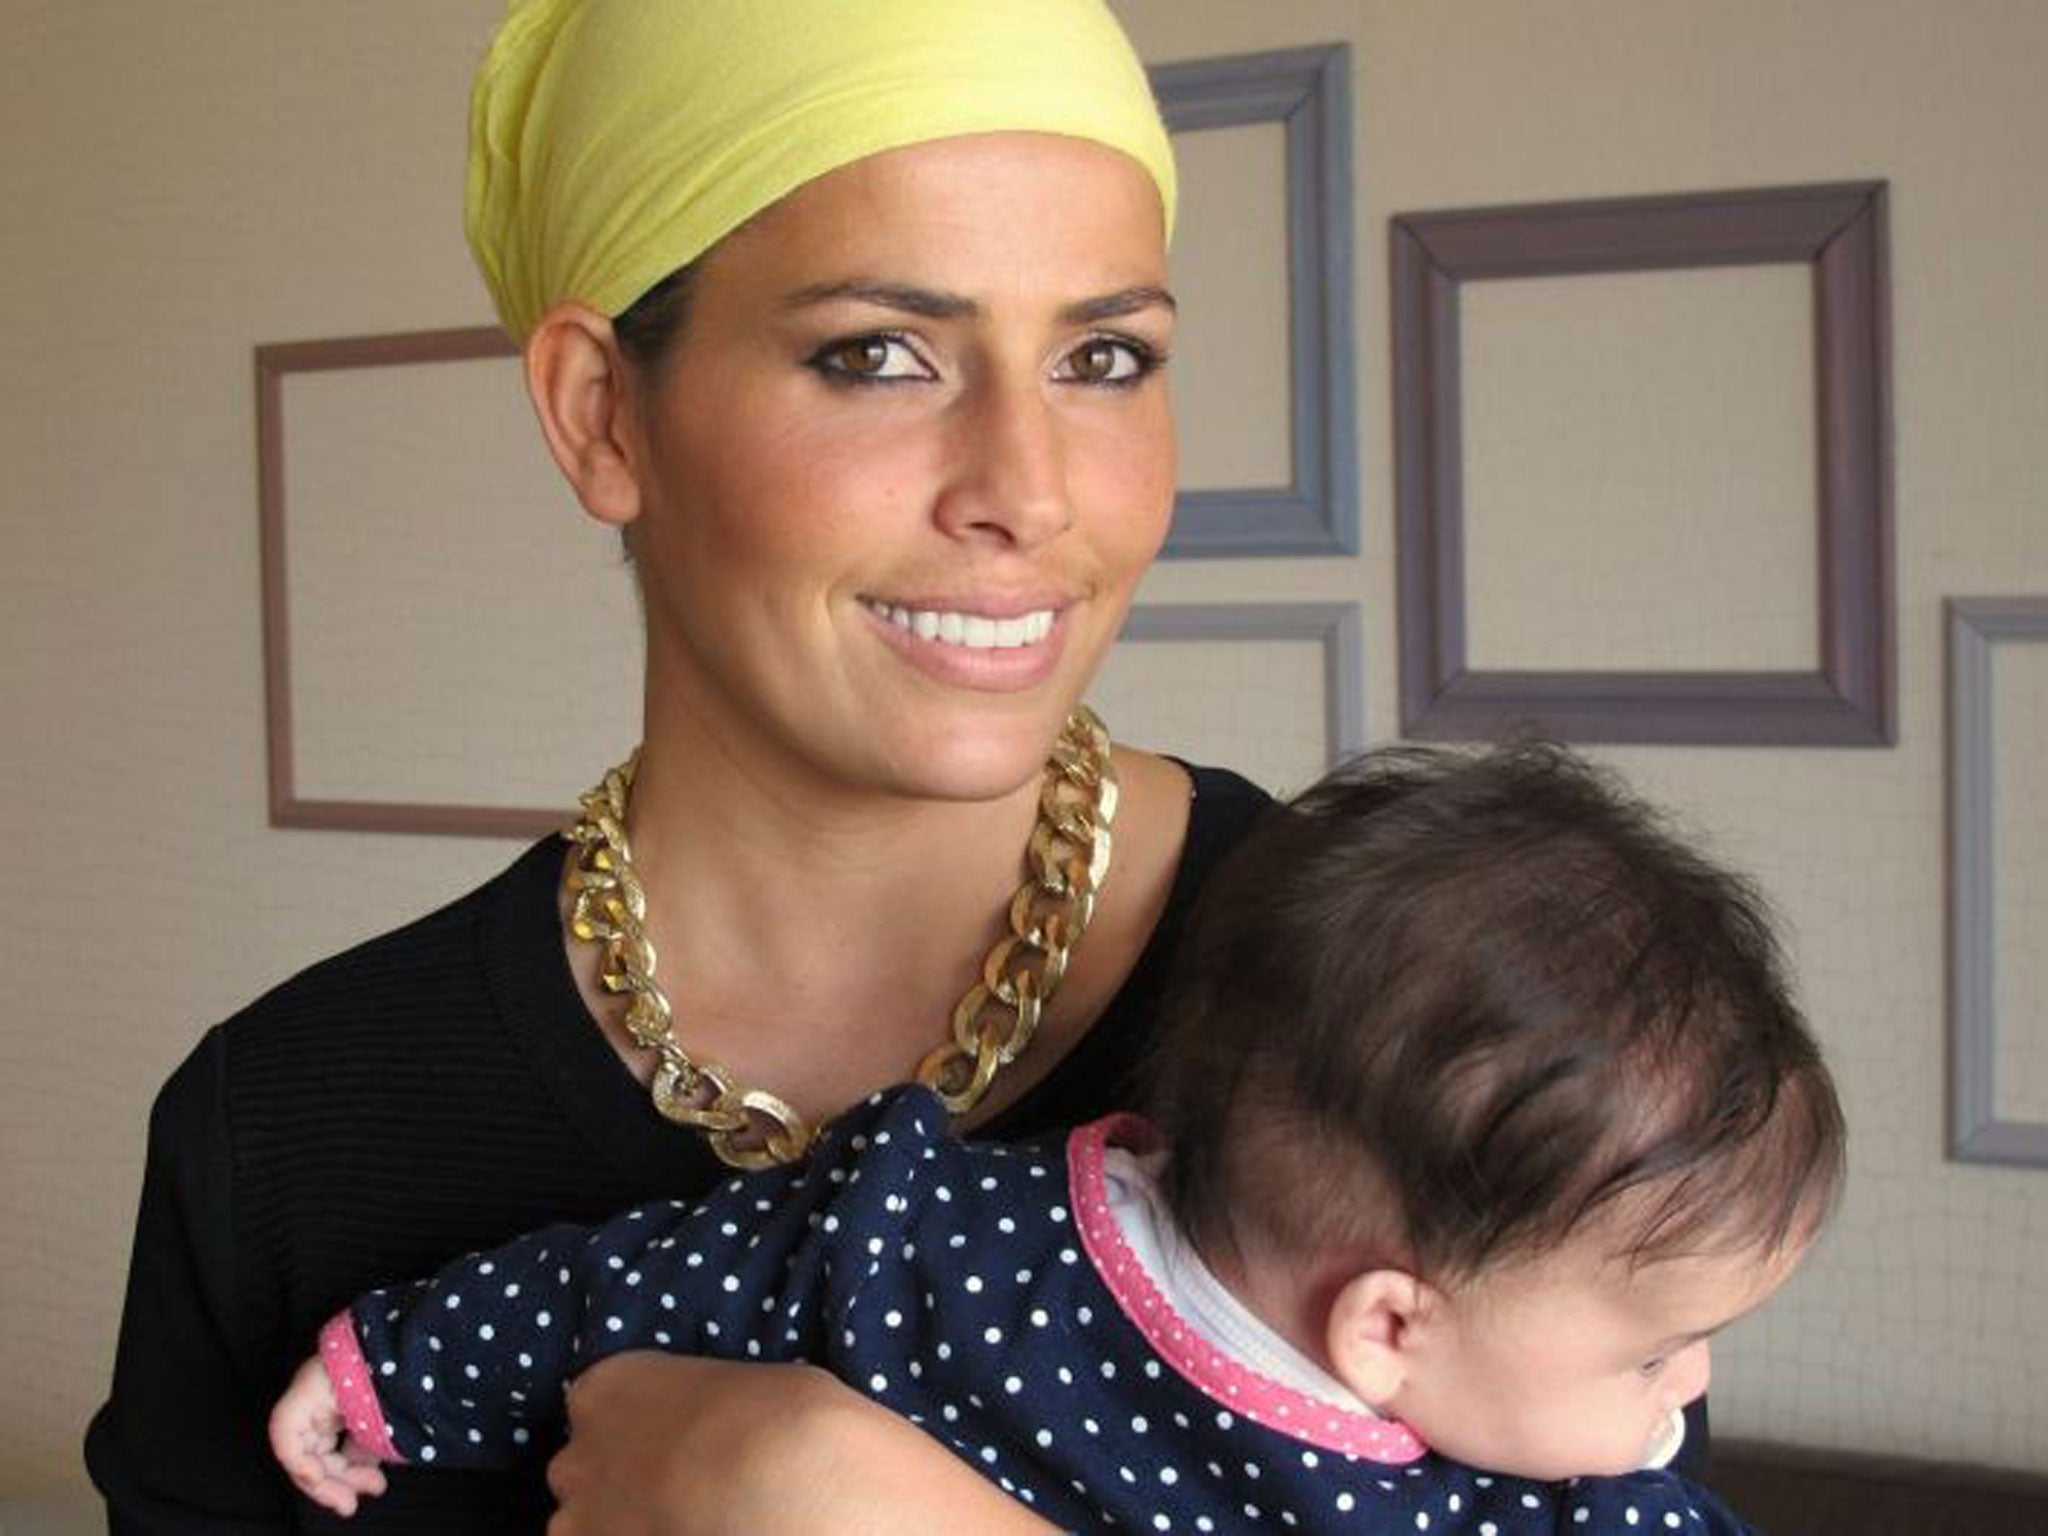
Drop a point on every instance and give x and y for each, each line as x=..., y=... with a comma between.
x=187, y=183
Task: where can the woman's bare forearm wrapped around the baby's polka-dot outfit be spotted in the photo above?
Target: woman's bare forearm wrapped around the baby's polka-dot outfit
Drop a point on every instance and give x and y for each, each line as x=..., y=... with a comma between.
x=673, y=1447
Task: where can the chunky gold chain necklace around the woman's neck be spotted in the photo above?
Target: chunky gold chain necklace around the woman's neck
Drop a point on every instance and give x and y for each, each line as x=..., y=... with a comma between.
x=994, y=1021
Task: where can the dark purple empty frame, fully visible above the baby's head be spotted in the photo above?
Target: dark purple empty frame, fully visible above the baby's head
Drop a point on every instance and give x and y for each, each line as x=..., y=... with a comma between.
x=1836, y=230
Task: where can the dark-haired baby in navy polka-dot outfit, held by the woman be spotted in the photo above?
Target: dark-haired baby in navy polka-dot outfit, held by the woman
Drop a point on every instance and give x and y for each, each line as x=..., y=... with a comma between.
x=1478, y=1109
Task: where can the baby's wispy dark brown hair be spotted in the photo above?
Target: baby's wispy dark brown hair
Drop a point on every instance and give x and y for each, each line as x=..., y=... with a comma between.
x=1449, y=1011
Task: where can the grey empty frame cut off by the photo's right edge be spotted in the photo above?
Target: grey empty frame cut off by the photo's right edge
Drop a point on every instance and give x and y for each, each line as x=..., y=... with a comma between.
x=1977, y=1132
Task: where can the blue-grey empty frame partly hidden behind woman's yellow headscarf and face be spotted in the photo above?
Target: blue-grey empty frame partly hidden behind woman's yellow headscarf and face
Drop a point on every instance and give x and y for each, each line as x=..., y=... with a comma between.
x=1310, y=93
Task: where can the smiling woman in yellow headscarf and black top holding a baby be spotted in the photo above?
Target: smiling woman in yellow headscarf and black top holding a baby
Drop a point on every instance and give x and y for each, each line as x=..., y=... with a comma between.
x=851, y=318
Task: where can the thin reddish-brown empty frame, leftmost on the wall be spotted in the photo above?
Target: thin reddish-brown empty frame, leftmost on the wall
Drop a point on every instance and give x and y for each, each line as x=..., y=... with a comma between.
x=288, y=808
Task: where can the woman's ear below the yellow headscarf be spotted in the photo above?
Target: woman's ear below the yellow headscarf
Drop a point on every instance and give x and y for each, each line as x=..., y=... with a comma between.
x=581, y=390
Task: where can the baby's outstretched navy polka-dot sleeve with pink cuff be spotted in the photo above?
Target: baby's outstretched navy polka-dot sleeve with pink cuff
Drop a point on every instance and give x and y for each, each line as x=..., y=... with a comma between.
x=468, y=1369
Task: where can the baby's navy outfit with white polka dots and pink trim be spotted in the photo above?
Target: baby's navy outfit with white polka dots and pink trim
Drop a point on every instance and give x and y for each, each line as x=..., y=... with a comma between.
x=964, y=1287
